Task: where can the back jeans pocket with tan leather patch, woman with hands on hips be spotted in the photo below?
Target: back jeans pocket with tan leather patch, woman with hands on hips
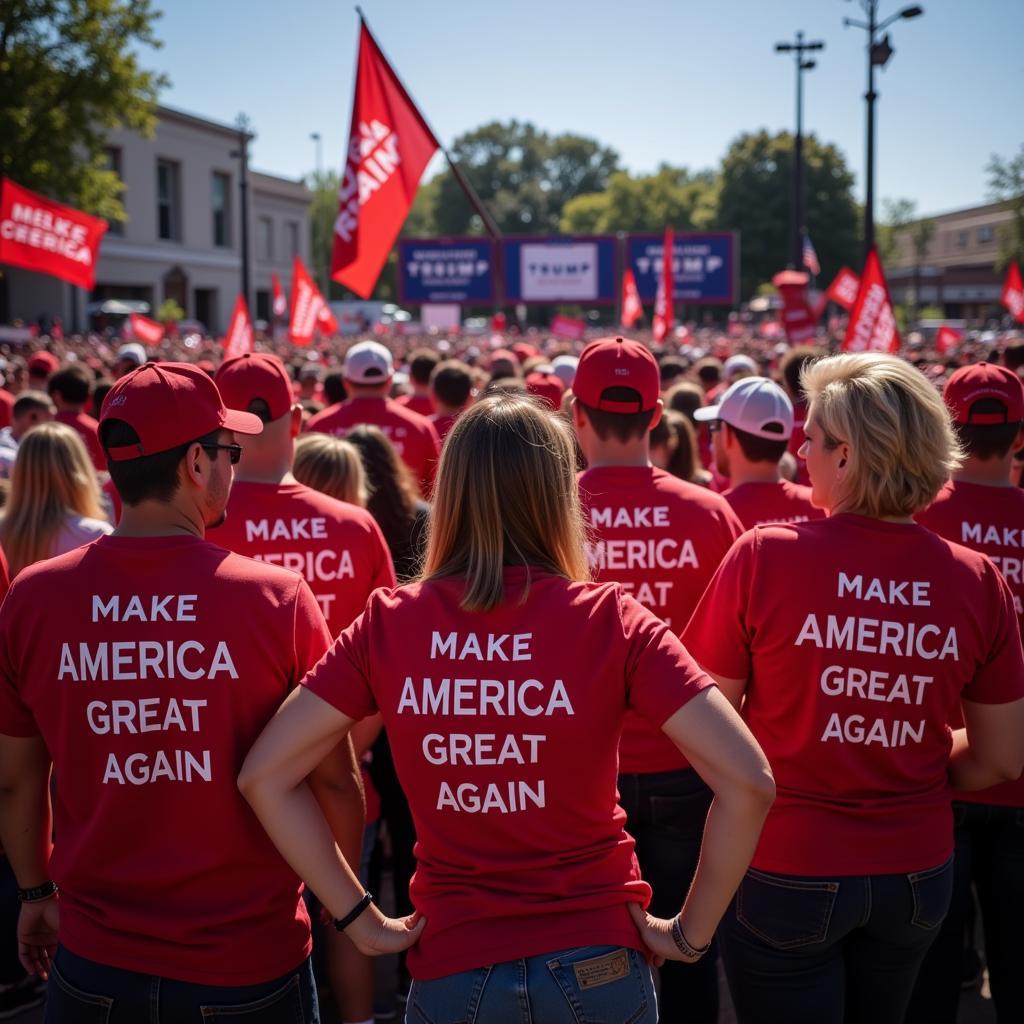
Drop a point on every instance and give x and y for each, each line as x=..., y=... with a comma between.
x=606, y=986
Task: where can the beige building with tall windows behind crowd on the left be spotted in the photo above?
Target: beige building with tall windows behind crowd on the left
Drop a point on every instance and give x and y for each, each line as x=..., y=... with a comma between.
x=183, y=239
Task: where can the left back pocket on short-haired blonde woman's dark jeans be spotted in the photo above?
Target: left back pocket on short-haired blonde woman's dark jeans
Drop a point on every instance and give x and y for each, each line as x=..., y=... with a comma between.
x=787, y=913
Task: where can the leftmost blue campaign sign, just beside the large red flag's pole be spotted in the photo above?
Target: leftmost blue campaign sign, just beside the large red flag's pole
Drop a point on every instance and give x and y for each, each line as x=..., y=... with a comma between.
x=446, y=271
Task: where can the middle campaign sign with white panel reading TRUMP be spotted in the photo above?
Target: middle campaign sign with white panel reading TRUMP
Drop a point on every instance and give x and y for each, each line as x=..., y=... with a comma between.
x=563, y=270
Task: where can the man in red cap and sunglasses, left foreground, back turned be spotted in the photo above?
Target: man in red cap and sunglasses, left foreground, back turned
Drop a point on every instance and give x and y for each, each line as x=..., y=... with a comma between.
x=145, y=665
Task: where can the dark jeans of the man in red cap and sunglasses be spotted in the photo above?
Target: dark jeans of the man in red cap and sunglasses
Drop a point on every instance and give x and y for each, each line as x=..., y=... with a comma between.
x=82, y=992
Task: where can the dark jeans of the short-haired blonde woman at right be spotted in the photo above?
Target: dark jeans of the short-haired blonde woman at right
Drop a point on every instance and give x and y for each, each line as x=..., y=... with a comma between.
x=831, y=951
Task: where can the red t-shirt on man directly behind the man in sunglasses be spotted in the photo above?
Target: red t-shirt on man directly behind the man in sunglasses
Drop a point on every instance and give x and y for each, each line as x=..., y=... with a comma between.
x=338, y=548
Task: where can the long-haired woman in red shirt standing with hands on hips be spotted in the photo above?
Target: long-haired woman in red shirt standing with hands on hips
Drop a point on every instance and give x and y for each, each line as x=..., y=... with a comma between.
x=504, y=678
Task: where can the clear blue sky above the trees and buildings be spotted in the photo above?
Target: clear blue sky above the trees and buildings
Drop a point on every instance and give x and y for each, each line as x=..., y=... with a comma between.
x=658, y=80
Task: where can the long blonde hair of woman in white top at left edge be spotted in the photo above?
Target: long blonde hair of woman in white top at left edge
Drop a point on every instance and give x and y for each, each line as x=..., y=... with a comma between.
x=53, y=479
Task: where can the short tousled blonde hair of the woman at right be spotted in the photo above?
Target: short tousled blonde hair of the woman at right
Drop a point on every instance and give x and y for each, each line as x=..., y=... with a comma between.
x=903, y=444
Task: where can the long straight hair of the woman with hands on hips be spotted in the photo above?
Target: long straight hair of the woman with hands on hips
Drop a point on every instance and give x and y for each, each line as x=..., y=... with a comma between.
x=506, y=495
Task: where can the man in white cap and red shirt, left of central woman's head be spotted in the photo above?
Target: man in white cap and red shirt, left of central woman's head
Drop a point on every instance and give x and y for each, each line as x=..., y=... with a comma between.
x=369, y=370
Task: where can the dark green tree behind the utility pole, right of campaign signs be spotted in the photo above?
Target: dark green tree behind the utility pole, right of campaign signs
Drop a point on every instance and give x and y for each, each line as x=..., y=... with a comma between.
x=755, y=198
